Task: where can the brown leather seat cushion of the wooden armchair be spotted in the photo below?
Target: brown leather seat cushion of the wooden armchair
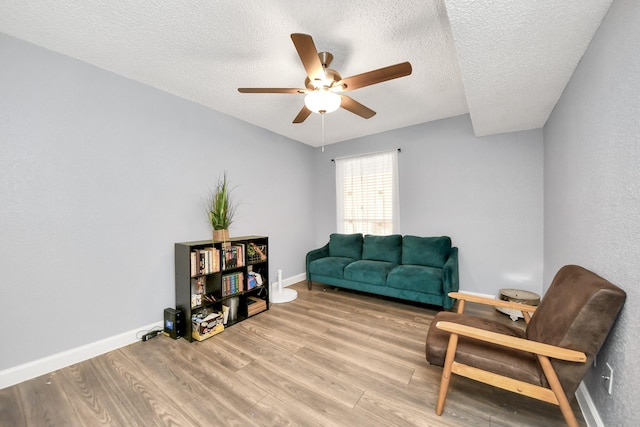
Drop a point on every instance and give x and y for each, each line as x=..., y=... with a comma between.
x=489, y=357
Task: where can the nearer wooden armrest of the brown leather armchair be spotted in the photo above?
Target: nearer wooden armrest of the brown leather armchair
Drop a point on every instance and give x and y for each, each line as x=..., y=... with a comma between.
x=513, y=342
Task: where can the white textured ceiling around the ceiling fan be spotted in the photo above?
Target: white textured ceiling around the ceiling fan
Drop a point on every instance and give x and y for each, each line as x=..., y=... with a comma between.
x=506, y=62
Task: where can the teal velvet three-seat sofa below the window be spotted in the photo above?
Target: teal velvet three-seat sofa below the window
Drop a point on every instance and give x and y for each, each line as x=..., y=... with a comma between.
x=420, y=269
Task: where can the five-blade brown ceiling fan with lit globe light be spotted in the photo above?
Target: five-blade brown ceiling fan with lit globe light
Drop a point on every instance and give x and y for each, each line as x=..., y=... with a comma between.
x=323, y=86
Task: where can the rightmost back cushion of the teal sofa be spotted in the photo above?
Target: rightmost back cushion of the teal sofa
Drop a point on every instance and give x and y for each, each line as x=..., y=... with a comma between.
x=429, y=251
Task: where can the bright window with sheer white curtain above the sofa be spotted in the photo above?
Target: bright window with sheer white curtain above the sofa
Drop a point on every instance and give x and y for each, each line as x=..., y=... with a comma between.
x=367, y=194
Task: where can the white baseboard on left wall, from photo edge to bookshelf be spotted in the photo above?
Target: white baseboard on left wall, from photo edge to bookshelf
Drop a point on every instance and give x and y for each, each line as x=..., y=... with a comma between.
x=30, y=370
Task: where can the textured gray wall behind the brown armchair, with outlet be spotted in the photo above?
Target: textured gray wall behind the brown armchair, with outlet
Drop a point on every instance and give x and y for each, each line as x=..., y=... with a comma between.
x=592, y=192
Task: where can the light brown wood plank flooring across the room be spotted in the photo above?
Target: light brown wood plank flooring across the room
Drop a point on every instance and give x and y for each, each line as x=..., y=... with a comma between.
x=329, y=358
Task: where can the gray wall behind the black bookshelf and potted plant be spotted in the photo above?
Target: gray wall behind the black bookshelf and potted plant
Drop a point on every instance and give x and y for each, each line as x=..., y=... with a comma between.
x=99, y=176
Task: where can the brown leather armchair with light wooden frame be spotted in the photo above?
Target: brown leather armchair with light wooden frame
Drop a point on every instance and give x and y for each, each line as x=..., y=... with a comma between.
x=548, y=360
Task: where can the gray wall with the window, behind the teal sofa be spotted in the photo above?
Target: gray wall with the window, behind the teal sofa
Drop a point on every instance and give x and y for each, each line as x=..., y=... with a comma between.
x=486, y=193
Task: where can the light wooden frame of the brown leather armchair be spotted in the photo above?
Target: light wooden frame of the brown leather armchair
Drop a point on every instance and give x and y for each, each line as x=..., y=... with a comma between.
x=543, y=352
